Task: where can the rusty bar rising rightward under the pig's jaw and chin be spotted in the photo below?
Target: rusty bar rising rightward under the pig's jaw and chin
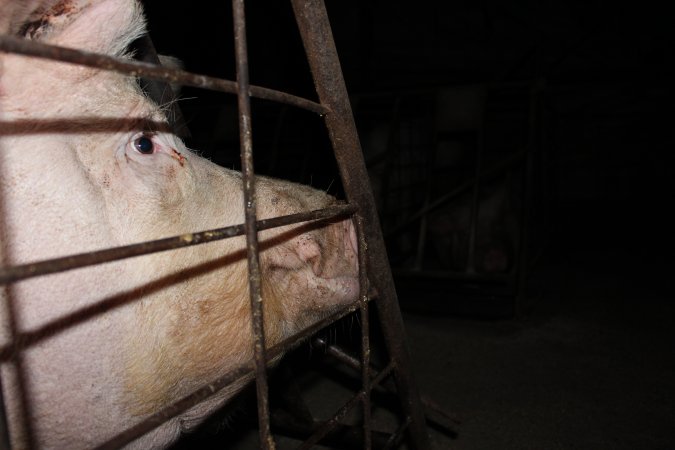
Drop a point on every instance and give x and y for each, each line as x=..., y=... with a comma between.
x=245, y=371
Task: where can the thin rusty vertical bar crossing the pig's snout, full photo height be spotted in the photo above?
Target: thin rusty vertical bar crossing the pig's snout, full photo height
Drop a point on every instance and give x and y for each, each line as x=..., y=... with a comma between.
x=254, y=275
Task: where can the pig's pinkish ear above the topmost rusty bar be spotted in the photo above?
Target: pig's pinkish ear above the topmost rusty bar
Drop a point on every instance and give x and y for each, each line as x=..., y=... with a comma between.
x=103, y=26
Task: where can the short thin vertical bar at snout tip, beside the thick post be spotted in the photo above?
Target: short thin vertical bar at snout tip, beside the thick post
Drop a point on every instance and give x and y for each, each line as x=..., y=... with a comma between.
x=365, y=334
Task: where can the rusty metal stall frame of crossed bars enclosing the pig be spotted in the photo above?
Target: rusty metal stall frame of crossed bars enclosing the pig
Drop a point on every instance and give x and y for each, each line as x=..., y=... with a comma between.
x=374, y=270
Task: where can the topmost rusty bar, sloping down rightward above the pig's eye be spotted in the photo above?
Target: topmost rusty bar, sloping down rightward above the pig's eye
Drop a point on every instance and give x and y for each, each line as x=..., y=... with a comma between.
x=141, y=69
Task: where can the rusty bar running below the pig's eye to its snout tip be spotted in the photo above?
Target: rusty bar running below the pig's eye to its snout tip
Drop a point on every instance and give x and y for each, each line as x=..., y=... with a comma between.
x=23, y=271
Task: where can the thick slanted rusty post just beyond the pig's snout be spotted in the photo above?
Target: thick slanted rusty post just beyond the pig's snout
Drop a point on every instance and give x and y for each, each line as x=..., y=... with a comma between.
x=323, y=61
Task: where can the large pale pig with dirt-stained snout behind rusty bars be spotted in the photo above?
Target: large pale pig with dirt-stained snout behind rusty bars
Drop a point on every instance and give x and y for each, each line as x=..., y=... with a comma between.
x=88, y=162
